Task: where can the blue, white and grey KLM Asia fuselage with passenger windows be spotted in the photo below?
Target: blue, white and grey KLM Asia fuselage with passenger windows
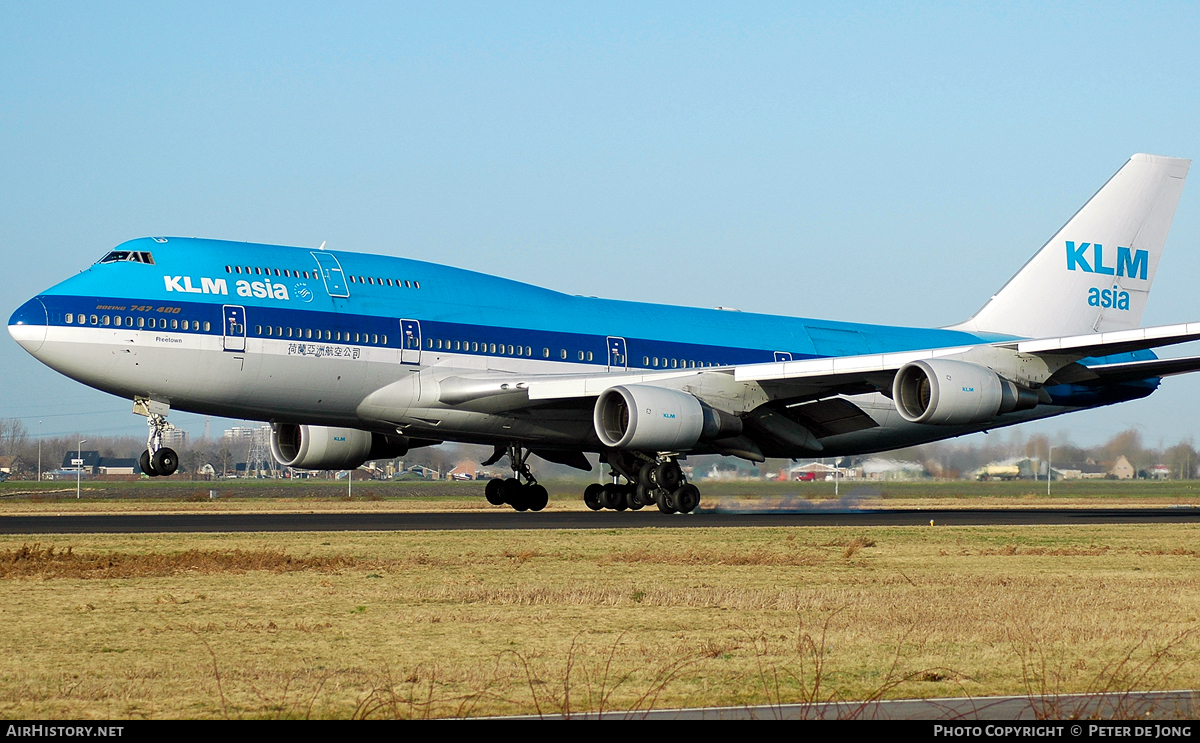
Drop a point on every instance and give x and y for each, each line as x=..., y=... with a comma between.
x=339, y=339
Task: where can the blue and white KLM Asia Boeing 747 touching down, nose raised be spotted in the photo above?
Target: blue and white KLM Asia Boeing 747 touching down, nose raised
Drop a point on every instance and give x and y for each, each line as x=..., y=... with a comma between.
x=355, y=357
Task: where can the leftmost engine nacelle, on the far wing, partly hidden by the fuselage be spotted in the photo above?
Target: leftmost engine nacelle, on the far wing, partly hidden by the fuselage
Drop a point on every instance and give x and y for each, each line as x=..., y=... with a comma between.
x=326, y=448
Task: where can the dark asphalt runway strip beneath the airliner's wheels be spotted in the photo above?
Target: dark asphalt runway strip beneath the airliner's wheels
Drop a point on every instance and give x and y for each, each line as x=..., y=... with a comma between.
x=405, y=522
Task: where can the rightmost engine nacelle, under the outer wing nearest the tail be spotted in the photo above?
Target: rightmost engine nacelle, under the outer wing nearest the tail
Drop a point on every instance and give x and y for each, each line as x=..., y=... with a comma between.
x=945, y=392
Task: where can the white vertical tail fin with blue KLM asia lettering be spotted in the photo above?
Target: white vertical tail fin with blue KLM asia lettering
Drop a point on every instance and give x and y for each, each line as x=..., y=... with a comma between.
x=1095, y=274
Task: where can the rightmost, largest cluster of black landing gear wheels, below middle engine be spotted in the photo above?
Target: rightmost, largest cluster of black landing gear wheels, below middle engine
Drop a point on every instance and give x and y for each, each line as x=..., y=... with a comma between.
x=647, y=482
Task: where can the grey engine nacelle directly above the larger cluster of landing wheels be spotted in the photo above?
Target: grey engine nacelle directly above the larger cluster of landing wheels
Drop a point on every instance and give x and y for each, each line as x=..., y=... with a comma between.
x=658, y=420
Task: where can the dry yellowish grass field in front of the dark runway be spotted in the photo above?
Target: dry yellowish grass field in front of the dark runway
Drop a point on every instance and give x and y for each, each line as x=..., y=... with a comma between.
x=457, y=624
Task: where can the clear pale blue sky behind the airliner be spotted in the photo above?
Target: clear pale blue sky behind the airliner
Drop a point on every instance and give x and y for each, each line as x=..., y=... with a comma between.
x=863, y=163
